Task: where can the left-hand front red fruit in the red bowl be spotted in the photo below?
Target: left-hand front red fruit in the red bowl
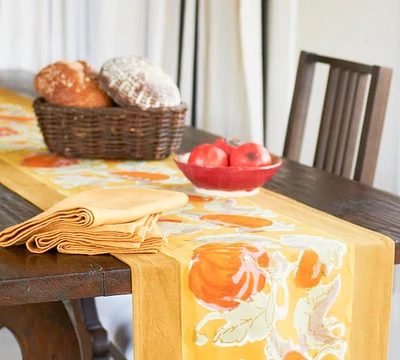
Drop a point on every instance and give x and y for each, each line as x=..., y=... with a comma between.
x=208, y=155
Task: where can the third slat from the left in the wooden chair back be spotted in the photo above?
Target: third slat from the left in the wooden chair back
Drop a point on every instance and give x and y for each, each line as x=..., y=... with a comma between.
x=344, y=126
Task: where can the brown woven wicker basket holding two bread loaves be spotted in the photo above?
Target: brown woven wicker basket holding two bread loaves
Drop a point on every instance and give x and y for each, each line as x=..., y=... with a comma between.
x=111, y=133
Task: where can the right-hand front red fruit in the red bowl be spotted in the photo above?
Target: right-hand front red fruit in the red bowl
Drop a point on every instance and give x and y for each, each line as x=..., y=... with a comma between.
x=250, y=155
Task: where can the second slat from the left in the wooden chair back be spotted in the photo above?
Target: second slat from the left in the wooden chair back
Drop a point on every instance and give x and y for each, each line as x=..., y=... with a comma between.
x=336, y=120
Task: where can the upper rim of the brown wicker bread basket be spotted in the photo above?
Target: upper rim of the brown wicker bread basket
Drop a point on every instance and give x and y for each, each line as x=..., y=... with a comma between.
x=40, y=101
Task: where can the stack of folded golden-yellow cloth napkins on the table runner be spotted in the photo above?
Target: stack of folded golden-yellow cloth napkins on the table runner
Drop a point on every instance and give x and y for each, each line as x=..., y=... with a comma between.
x=98, y=221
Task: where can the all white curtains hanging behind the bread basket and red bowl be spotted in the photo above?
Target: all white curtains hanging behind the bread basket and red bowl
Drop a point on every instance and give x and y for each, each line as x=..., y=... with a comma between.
x=34, y=33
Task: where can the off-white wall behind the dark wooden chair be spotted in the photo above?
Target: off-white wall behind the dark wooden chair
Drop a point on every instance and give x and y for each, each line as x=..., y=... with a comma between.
x=360, y=30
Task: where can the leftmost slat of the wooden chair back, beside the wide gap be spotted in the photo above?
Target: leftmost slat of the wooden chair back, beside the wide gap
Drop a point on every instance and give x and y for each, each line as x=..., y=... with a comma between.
x=327, y=112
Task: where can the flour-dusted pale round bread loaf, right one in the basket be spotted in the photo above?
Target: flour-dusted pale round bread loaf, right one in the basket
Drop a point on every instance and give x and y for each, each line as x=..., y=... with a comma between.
x=135, y=81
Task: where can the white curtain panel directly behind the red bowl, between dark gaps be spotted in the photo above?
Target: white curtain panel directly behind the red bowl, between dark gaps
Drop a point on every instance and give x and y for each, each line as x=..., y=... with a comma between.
x=230, y=69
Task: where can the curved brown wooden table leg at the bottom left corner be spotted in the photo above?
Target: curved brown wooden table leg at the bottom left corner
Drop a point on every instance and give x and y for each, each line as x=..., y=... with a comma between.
x=43, y=331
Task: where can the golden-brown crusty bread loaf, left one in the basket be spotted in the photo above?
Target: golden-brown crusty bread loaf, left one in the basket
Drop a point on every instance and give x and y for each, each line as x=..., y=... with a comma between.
x=71, y=83
